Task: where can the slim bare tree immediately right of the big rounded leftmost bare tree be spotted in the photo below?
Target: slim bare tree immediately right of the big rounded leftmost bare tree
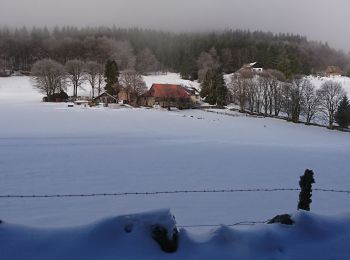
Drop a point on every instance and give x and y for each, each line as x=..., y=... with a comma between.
x=75, y=73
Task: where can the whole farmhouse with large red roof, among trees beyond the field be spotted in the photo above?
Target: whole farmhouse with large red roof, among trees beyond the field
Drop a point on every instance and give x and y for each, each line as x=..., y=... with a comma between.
x=167, y=95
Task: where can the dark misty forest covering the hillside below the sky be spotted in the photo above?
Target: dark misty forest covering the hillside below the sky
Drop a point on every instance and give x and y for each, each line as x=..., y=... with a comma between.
x=149, y=50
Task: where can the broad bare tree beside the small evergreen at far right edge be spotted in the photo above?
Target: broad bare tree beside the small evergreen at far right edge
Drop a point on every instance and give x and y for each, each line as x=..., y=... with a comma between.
x=330, y=95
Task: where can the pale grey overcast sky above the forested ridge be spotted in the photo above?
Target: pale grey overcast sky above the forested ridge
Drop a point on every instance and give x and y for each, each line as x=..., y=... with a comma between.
x=325, y=20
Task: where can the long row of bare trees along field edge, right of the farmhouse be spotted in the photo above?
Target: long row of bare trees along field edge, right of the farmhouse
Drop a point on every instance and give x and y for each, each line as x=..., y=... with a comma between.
x=270, y=93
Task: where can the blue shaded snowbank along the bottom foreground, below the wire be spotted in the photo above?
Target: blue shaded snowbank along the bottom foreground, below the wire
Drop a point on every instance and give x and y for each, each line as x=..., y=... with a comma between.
x=128, y=237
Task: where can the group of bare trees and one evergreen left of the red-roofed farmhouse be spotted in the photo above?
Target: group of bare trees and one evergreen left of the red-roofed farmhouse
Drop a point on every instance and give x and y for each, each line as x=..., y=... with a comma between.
x=52, y=78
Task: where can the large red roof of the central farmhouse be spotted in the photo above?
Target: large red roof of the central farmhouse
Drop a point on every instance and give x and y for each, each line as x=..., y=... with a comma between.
x=168, y=90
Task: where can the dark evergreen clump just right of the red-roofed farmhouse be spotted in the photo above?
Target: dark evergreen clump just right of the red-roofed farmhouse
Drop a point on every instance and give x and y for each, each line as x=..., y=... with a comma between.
x=214, y=90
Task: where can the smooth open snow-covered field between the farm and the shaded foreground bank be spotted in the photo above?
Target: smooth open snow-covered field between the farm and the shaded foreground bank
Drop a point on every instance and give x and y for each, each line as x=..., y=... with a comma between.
x=52, y=149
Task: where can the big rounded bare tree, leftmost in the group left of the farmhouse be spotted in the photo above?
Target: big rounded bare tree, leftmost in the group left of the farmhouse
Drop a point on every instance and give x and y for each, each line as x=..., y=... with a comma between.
x=48, y=76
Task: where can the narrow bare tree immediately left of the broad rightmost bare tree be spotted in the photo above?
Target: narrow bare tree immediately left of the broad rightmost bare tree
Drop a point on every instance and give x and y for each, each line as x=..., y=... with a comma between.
x=311, y=102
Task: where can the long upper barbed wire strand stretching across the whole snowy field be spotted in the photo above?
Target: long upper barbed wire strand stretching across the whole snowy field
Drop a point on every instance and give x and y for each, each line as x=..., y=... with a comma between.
x=35, y=196
